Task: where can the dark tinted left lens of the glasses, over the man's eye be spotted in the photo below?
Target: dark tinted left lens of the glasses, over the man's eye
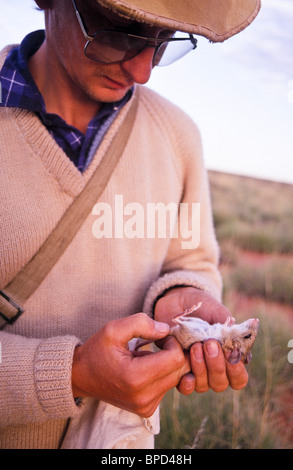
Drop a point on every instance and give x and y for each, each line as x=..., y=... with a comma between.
x=109, y=47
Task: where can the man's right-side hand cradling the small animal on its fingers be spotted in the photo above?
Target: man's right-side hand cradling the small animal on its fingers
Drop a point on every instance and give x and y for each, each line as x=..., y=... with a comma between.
x=209, y=366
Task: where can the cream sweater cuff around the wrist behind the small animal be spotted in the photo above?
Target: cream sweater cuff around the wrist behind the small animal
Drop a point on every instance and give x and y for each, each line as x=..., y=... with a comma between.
x=179, y=279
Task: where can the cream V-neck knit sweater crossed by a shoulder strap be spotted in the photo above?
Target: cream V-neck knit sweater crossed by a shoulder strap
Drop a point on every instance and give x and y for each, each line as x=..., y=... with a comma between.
x=96, y=279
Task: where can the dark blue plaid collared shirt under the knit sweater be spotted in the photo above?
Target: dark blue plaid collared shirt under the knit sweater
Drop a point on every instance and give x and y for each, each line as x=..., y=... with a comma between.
x=20, y=91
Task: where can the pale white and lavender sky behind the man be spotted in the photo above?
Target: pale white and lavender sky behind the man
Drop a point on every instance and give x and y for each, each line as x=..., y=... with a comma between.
x=239, y=93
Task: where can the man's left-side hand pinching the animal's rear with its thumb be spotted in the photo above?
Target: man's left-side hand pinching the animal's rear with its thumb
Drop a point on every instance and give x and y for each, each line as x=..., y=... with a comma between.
x=104, y=367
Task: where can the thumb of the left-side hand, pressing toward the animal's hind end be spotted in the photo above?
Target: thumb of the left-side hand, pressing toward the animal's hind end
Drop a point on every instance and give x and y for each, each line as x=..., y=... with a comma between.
x=139, y=325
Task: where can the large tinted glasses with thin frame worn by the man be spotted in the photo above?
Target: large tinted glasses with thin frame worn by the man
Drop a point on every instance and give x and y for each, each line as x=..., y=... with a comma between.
x=111, y=47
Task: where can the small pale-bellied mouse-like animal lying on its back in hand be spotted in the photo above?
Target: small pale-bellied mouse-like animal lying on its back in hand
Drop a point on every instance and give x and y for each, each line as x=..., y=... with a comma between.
x=235, y=338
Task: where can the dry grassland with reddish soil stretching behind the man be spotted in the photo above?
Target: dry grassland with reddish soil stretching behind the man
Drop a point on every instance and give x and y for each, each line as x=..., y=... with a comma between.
x=252, y=215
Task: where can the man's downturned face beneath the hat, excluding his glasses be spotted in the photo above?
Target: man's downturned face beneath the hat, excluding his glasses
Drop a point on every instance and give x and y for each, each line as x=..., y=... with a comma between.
x=99, y=82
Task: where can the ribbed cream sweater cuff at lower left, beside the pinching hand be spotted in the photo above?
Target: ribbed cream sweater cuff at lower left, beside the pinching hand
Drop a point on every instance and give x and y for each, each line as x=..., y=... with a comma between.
x=53, y=368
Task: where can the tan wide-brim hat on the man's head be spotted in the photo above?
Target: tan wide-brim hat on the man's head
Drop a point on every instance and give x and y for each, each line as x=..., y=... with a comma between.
x=217, y=20
